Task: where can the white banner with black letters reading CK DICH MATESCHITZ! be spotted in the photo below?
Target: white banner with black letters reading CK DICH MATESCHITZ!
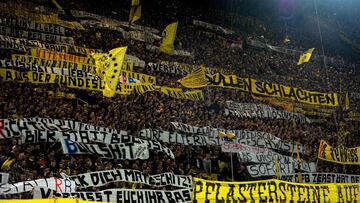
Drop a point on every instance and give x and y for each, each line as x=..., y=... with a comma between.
x=100, y=178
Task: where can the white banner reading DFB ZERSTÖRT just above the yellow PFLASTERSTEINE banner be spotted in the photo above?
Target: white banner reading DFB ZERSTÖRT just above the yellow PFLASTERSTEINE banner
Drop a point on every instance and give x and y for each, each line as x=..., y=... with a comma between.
x=322, y=178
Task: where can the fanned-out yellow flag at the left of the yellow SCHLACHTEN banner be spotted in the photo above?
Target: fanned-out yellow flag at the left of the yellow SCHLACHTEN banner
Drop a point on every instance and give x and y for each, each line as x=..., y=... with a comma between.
x=196, y=79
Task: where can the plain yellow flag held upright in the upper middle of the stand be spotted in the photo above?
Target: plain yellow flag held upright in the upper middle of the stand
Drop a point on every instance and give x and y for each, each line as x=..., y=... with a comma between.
x=168, y=38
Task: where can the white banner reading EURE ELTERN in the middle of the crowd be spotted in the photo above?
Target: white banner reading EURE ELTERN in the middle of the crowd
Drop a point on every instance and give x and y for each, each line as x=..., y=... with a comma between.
x=177, y=138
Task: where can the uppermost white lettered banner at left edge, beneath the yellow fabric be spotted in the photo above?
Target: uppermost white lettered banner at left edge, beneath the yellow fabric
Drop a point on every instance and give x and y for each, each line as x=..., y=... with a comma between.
x=26, y=24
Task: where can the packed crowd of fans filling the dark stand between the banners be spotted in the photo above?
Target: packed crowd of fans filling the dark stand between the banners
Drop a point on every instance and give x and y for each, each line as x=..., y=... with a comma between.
x=155, y=110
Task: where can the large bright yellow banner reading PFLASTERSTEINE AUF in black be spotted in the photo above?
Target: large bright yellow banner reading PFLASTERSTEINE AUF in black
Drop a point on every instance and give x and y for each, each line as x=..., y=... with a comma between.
x=272, y=191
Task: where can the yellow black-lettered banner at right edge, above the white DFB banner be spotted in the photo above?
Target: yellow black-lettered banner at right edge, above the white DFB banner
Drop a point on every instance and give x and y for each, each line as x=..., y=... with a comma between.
x=340, y=154
